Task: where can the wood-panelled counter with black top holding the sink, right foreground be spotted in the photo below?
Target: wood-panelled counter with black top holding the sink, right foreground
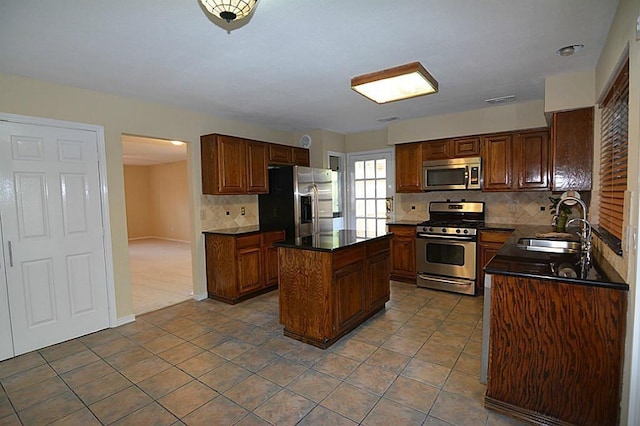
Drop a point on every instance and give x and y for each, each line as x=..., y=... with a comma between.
x=556, y=340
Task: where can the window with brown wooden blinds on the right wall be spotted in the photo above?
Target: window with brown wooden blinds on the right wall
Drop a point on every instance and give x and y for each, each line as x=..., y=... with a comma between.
x=613, y=157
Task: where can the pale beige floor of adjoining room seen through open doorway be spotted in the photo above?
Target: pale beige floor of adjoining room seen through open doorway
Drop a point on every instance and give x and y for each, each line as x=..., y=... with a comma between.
x=160, y=273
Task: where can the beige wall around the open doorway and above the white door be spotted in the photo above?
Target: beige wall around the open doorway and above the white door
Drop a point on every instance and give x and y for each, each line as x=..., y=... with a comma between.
x=120, y=115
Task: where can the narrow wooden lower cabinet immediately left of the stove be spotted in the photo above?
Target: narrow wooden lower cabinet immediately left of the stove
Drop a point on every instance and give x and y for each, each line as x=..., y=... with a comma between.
x=403, y=253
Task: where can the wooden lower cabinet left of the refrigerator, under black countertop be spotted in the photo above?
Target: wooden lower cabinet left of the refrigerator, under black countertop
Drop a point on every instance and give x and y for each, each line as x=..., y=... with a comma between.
x=241, y=267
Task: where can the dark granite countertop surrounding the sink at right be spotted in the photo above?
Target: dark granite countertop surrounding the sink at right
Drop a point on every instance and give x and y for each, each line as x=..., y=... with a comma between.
x=511, y=260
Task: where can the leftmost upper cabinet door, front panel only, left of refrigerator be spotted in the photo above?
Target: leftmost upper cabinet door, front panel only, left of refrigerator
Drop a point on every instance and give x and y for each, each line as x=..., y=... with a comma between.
x=230, y=165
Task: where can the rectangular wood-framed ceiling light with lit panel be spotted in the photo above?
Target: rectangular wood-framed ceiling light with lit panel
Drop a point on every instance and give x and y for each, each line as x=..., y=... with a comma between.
x=394, y=84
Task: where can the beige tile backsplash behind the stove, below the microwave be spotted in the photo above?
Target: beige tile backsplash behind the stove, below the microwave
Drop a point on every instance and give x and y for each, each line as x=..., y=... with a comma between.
x=500, y=207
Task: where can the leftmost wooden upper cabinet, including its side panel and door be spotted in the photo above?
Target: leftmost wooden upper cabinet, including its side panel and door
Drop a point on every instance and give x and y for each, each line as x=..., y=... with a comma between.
x=223, y=165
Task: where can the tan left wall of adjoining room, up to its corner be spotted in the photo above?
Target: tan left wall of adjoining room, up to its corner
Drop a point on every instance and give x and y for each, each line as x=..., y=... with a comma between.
x=136, y=183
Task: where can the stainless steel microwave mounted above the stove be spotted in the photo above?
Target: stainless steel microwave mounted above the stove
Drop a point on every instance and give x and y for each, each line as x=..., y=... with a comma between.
x=455, y=173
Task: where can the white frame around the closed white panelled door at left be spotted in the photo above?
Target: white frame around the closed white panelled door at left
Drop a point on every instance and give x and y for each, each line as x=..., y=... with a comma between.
x=104, y=198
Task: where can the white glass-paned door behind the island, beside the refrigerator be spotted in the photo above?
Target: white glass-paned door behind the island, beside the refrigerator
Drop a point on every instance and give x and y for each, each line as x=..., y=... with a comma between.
x=372, y=186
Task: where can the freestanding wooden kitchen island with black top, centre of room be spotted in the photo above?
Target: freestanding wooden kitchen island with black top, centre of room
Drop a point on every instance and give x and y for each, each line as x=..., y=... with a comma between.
x=330, y=283
